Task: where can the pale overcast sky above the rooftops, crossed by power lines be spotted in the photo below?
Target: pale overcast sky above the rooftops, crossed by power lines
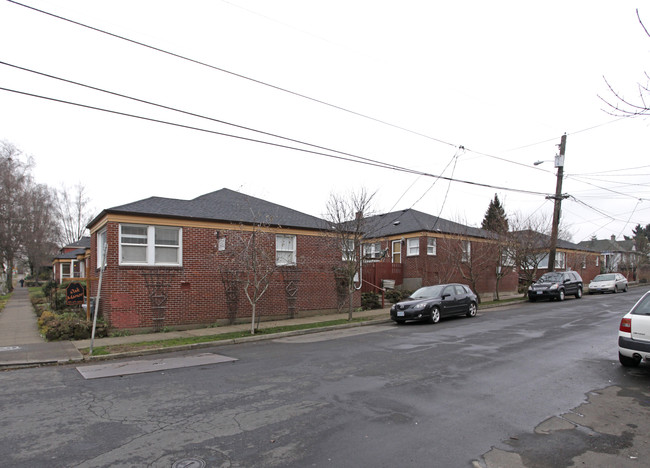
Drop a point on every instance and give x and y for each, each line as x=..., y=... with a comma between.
x=502, y=79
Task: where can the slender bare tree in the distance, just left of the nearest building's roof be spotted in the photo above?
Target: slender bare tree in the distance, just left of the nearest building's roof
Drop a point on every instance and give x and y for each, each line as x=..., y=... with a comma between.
x=74, y=212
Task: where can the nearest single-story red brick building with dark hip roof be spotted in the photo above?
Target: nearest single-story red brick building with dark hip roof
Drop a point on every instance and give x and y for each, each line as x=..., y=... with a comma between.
x=171, y=262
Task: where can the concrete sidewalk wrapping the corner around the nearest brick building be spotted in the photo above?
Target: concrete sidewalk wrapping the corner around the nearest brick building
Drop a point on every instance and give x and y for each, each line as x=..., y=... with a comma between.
x=21, y=344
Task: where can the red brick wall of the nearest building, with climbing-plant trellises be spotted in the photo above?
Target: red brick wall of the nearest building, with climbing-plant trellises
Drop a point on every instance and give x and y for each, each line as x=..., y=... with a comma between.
x=195, y=291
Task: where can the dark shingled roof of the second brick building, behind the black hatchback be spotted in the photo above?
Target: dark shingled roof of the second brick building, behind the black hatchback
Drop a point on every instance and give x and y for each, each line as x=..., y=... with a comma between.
x=408, y=221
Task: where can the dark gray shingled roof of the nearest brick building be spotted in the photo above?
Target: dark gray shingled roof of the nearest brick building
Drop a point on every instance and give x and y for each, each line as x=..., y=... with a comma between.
x=223, y=205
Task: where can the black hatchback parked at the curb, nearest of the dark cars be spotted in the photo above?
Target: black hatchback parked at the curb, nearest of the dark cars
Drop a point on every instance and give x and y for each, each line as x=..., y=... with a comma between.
x=432, y=302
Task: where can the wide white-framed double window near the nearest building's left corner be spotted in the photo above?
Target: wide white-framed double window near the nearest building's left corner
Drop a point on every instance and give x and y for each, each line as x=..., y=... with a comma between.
x=150, y=245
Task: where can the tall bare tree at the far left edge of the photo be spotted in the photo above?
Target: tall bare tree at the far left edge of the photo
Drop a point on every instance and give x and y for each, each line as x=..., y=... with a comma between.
x=15, y=180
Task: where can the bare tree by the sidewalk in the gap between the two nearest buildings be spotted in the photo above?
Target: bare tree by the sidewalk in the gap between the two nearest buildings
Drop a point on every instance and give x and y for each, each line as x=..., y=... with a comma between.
x=346, y=215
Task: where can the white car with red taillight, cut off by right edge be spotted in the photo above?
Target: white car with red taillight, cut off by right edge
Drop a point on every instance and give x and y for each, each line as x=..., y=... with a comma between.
x=634, y=334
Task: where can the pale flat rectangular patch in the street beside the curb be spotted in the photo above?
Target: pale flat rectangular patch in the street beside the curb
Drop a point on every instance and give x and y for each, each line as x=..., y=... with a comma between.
x=153, y=365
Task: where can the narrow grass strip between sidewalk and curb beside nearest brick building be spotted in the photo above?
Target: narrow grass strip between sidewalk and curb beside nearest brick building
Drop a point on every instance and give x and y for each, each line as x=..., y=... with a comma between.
x=162, y=343
